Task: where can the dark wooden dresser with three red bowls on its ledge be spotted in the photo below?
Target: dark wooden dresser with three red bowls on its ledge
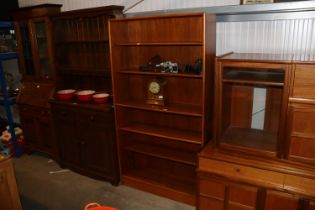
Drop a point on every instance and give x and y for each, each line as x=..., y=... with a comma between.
x=85, y=131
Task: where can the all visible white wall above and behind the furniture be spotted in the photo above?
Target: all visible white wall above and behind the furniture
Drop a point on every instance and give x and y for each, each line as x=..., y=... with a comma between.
x=280, y=36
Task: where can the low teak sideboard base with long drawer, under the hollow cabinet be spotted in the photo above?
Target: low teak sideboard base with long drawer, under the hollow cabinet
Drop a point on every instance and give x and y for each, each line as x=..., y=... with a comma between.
x=238, y=182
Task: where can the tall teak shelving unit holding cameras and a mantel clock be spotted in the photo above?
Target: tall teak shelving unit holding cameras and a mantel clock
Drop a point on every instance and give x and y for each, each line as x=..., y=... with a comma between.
x=158, y=145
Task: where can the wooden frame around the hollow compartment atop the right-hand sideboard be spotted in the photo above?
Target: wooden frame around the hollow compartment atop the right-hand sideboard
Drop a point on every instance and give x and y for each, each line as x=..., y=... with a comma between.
x=256, y=65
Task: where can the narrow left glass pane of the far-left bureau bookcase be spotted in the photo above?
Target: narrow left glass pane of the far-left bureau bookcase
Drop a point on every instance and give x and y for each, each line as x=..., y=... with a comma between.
x=27, y=51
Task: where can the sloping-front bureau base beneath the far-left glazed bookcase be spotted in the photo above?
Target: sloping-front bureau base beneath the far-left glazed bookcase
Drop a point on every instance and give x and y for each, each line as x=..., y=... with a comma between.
x=35, y=117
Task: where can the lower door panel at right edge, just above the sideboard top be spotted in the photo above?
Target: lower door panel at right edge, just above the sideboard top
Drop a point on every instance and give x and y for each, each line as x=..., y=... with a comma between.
x=303, y=148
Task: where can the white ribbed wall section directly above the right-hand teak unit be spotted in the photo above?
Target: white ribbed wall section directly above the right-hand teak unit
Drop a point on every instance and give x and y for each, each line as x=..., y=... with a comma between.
x=280, y=36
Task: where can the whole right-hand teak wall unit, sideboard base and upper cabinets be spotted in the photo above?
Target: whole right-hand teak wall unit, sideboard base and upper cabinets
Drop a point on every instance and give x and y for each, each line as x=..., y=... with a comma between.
x=262, y=155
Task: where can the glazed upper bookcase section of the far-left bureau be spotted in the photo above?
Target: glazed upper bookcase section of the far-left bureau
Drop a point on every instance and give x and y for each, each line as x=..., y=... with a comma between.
x=33, y=28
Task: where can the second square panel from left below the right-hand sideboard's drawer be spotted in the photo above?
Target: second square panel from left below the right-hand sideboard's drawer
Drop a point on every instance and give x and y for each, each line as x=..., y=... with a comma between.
x=243, y=195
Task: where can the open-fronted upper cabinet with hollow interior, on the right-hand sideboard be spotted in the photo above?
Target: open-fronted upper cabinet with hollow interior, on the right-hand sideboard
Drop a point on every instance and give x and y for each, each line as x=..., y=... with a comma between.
x=252, y=97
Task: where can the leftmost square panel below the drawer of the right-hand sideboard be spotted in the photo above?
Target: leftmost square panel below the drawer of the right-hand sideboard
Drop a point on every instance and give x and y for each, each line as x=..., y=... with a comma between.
x=212, y=188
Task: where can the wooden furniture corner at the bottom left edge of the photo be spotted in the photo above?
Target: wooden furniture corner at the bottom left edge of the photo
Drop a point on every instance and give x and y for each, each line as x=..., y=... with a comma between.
x=9, y=196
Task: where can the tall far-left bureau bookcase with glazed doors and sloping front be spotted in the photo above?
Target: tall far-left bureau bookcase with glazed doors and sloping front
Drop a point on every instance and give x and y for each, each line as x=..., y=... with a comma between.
x=33, y=27
